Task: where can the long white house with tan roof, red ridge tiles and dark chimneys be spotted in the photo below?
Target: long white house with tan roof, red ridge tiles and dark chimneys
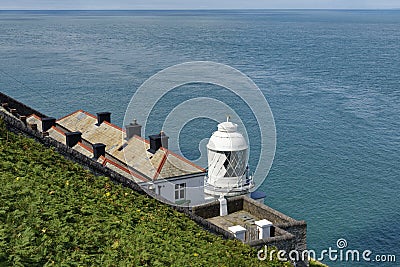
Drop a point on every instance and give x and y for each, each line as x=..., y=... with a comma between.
x=148, y=162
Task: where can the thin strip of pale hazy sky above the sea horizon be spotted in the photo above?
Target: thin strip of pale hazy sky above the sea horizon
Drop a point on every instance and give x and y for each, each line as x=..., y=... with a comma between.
x=191, y=4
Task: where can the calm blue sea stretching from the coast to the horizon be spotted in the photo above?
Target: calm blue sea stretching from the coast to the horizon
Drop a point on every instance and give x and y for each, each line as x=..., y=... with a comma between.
x=331, y=79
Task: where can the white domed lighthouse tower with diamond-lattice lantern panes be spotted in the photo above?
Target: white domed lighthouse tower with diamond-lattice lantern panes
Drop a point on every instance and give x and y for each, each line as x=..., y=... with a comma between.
x=227, y=152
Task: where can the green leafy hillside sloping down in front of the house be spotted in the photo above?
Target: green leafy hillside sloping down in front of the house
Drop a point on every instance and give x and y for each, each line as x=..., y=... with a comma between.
x=54, y=212
